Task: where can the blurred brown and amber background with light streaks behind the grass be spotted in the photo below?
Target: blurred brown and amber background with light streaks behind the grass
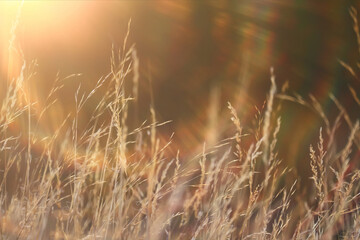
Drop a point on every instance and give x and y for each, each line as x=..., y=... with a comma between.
x=195, y=56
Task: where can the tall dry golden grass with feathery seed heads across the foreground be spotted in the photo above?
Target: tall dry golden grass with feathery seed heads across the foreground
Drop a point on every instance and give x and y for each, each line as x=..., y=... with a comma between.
x=94, y=172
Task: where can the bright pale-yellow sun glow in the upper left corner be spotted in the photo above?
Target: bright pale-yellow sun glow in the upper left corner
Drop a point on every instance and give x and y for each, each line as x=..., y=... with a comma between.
x=43, y=23
